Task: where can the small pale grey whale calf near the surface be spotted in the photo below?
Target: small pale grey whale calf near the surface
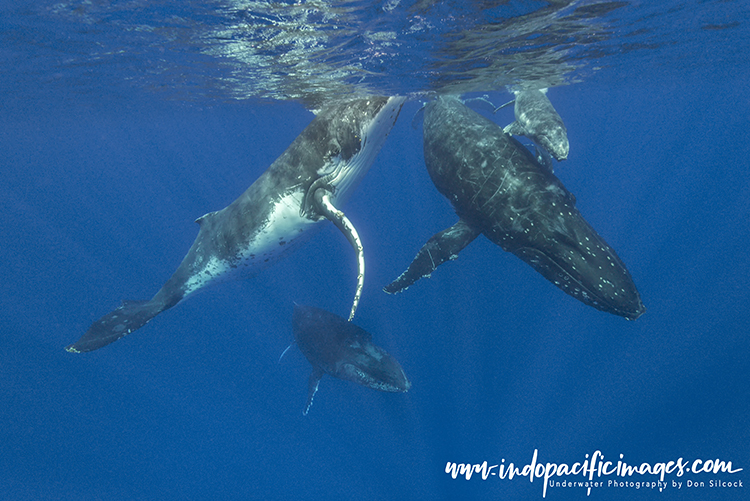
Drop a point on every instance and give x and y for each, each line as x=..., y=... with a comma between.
x=538, y=120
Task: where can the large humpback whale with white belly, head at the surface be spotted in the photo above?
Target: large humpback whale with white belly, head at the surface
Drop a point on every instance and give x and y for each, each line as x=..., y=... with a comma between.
x=316, y=173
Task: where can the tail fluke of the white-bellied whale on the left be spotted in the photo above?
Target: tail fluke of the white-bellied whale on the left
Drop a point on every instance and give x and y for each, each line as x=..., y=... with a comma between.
x=131, y=315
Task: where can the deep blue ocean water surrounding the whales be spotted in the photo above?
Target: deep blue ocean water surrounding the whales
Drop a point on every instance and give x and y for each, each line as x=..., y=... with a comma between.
x=122, y=122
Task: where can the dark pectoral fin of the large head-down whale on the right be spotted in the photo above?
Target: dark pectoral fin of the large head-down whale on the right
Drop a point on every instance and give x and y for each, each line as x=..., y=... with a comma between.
x=440, y=248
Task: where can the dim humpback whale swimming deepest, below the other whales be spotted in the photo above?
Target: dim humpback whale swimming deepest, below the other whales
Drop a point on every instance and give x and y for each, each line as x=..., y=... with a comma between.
x=339, y=348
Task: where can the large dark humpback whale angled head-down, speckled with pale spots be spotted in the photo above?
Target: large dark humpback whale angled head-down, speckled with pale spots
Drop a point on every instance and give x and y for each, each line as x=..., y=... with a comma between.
x=498, y=189
